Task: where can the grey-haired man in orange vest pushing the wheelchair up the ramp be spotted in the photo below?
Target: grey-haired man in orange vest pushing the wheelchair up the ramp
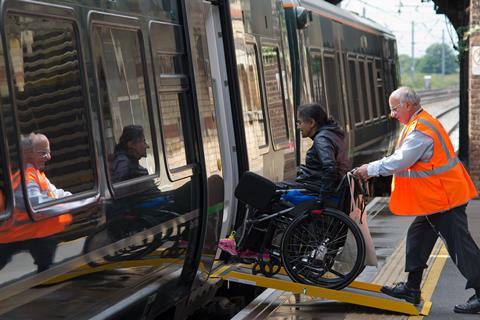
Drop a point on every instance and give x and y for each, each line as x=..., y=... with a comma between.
x=429, y=182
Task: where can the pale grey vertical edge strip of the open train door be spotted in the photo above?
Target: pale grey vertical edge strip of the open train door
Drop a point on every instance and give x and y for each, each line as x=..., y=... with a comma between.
x=223, y=112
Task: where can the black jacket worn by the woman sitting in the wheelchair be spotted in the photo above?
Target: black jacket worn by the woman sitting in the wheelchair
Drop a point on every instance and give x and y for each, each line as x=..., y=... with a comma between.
x=326, y=161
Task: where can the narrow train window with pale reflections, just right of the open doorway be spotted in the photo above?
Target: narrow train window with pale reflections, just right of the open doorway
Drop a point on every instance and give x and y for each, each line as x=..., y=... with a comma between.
x=252, y=105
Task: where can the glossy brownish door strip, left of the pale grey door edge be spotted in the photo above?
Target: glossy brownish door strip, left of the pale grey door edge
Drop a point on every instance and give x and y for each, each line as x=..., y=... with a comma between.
x=196, y=13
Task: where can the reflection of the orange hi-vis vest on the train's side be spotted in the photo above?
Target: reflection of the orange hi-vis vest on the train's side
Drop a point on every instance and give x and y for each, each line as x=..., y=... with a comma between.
x=20, y=227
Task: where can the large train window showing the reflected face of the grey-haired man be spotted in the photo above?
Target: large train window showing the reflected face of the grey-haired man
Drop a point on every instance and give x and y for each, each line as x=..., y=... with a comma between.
x=51, y=107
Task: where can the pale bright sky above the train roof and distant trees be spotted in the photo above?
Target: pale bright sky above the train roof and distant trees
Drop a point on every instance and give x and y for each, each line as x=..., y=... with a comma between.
x=397, y=16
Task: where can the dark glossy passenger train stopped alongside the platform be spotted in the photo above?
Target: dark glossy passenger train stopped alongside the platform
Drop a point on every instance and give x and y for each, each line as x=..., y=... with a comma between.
x=213, y=85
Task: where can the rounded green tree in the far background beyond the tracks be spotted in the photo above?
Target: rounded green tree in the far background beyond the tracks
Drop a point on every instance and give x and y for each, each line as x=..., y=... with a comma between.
x=431, y=62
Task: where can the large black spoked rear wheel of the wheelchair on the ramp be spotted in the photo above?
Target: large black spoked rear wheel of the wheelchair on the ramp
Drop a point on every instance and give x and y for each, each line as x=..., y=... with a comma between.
x=314, y=246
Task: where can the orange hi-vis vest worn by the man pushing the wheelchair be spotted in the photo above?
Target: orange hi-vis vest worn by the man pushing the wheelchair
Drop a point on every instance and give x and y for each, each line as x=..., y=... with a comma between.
x=435, y=186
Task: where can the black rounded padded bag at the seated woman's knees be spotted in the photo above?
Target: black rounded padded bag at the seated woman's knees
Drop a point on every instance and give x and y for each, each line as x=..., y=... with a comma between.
x=255, y=190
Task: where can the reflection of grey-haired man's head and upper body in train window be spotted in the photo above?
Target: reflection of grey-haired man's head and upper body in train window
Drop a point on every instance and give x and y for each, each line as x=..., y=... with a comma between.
x=36, y=150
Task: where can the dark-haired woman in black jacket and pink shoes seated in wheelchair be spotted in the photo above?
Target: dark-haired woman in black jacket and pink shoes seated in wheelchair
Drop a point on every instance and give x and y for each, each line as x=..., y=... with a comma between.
x=326, y=163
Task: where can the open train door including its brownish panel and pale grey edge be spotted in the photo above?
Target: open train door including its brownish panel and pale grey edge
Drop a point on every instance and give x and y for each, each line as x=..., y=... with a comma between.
x=211, y=86
